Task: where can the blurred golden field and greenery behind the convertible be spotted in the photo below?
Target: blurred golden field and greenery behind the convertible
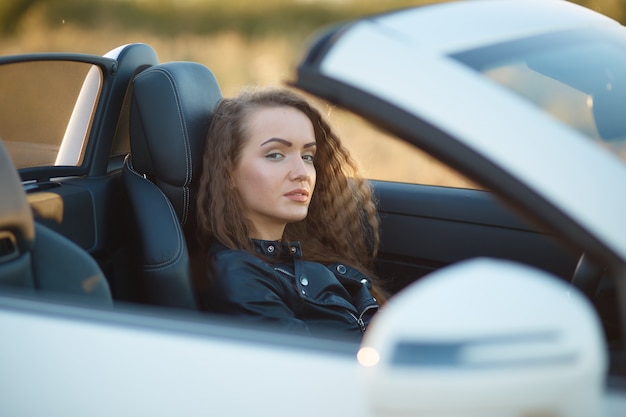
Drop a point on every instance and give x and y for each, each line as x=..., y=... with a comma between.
x=244, y=42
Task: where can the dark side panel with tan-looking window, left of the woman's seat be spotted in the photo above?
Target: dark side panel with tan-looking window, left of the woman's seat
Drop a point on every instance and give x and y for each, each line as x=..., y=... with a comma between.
x=63, y=120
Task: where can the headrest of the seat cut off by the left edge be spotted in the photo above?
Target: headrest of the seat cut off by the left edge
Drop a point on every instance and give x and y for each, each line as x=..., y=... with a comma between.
x=17, y=227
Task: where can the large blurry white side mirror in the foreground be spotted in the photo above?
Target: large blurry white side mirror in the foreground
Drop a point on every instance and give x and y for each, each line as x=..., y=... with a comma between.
x=485, y=337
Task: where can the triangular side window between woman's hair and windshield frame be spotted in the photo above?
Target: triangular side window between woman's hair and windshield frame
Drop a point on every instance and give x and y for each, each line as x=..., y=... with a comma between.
x=382, y=156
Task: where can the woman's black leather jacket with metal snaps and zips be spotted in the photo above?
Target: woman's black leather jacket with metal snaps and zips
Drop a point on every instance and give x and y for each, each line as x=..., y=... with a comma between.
x=298, y=295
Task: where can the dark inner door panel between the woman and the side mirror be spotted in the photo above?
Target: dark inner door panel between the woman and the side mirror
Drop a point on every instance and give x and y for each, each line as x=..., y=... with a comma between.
x=426, y=227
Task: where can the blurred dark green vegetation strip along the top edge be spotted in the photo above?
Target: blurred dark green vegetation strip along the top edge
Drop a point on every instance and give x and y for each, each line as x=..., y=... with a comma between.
x=174, y=17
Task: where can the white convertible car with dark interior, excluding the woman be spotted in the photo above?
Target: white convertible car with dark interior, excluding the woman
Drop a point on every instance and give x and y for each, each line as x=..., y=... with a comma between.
x=509, y=300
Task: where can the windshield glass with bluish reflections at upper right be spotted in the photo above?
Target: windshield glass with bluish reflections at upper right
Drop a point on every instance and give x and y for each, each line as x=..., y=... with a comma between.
x=577, y=77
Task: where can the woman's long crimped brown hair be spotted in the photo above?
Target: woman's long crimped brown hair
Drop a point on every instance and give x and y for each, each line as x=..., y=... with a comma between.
x=342, y=222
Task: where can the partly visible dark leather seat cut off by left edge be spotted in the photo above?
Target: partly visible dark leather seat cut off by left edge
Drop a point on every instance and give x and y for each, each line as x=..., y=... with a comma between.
x=37, y=259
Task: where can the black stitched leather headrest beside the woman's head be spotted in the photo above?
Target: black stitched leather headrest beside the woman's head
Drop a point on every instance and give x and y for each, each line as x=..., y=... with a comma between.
x=170, y=113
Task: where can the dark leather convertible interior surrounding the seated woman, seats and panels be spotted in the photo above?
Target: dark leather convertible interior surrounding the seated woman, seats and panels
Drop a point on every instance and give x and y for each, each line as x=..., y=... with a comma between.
x=126, y=230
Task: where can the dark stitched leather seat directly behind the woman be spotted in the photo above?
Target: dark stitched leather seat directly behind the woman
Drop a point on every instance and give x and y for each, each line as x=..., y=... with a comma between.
x=171, y=107
